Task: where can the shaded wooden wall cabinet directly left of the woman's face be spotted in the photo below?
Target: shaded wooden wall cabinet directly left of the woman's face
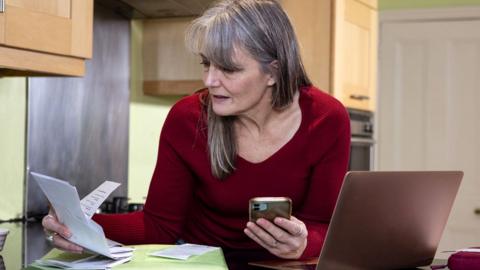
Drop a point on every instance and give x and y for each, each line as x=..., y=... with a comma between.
x=168, y=68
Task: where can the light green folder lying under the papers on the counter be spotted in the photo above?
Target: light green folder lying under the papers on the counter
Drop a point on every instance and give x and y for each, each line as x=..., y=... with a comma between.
x=212, y=260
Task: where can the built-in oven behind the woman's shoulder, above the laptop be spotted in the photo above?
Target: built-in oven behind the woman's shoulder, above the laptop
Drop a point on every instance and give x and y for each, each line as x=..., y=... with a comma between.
x=362, y=142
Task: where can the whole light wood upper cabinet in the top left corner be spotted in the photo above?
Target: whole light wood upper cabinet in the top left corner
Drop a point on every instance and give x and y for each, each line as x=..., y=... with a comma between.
x=45, y=37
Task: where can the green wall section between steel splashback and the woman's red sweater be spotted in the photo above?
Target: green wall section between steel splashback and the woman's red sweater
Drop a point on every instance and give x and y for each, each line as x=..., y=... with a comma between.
x=147, y=115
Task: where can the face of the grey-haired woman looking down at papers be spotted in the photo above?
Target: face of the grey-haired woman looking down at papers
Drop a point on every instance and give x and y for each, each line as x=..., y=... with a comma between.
x=238, y=92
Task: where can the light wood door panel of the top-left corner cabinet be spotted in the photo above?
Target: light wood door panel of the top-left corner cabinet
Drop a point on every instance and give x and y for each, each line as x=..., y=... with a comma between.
x=55, y=26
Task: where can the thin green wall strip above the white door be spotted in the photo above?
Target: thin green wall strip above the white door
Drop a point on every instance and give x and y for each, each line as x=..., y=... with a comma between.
x=411, y=4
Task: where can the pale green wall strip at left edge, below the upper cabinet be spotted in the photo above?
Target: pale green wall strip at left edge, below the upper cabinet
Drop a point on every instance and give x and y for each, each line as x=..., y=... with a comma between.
x=12, y=146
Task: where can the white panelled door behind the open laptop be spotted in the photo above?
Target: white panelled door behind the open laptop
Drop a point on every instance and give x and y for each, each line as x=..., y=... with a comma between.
x=429, y=110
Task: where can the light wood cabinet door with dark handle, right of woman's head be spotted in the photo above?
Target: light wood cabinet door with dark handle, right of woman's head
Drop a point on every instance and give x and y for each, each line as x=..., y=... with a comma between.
x=355, y=46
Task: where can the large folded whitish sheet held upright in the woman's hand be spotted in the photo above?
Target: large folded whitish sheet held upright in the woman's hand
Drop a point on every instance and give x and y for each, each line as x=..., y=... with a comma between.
x=85, y=232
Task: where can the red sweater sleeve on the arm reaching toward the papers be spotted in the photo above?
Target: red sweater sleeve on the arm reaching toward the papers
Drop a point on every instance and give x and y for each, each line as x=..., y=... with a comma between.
x=168, y=199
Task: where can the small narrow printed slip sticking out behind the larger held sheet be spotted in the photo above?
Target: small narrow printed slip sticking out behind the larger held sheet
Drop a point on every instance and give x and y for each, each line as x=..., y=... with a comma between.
x=92, y=201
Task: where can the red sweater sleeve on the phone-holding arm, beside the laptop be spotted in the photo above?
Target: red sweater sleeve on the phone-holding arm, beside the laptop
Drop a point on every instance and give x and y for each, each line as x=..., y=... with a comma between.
x=326, y=181
